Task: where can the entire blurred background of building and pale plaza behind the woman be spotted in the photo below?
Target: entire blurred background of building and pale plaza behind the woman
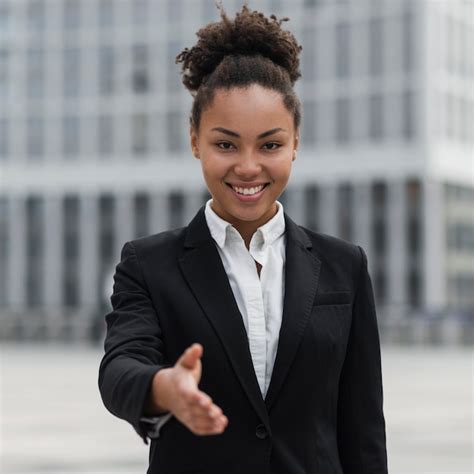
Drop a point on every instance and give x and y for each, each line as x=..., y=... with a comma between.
x=94, y=151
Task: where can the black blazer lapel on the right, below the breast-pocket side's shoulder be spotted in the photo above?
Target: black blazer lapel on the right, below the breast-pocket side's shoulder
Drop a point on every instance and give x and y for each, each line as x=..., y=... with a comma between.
x=302, y=270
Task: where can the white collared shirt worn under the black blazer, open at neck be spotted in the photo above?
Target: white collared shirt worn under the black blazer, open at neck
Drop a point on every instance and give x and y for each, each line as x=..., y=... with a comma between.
x=259, y=299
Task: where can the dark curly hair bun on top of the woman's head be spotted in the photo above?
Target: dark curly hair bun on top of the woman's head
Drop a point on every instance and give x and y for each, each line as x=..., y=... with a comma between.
x=250, y=33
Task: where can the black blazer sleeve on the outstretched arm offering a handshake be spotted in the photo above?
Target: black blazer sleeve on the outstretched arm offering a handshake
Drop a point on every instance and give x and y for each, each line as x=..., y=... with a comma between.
x=133, y=344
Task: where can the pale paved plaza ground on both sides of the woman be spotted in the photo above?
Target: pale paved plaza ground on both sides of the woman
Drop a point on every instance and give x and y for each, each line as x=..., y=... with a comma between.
x=53, y=421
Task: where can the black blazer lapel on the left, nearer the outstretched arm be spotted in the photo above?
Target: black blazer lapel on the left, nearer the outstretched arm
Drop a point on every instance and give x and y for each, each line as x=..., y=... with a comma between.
x=203, y=269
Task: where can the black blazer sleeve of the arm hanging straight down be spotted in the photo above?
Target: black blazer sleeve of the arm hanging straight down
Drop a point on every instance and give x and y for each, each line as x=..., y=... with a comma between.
x=361, y=423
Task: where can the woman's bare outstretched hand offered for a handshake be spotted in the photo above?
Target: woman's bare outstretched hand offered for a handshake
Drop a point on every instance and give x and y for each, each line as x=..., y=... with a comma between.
x=176, y=390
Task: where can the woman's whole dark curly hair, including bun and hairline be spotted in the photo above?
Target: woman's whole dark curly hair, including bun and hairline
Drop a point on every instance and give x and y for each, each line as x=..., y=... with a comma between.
x=251, y=49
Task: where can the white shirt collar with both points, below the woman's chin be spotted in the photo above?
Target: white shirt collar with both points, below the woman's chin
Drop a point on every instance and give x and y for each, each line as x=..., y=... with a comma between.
x=220, y=228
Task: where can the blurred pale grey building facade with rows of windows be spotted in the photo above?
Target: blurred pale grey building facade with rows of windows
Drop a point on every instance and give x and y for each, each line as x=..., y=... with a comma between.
x=94, y=146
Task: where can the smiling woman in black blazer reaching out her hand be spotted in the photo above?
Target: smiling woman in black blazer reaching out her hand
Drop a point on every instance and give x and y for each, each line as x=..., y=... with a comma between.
x=244, y=343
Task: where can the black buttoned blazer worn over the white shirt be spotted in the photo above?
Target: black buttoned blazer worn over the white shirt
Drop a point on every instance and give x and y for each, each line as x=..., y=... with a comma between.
x=323, y=411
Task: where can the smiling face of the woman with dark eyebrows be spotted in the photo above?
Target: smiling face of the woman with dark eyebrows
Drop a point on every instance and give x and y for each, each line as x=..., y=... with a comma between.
x=246, y=143
